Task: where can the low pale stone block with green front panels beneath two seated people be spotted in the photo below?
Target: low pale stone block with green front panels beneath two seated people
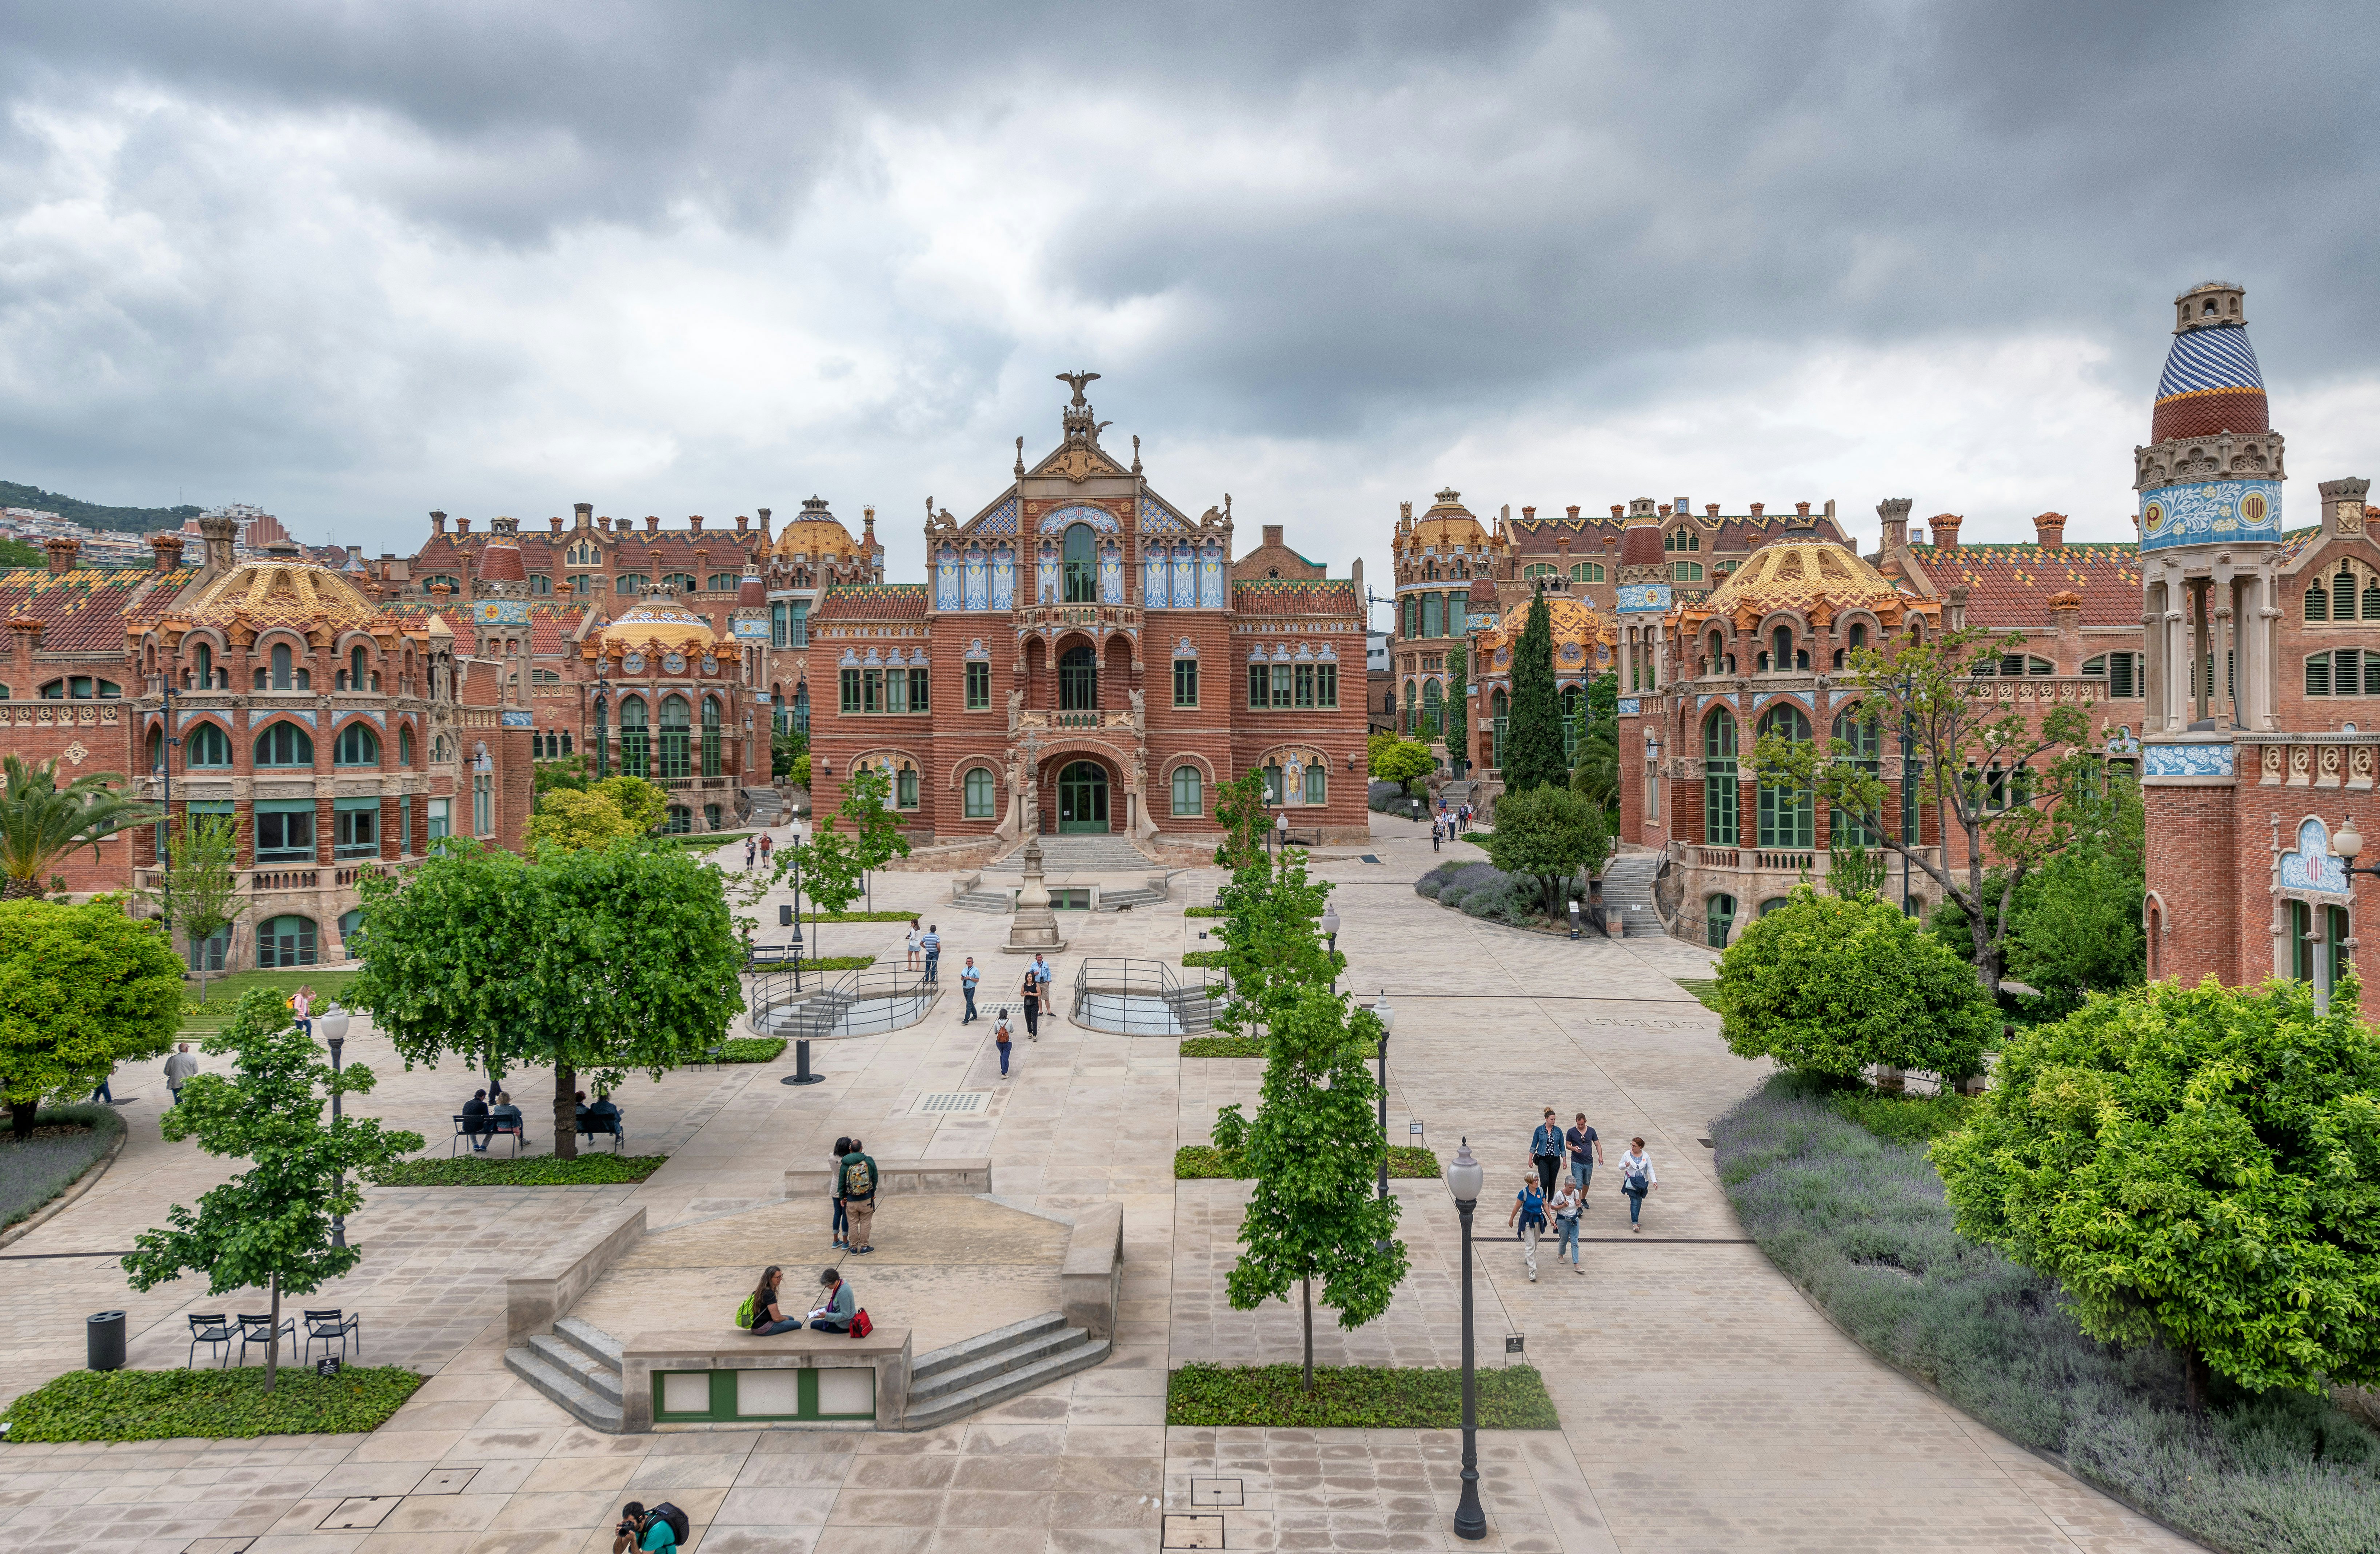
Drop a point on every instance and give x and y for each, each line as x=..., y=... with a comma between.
x=741, y=1381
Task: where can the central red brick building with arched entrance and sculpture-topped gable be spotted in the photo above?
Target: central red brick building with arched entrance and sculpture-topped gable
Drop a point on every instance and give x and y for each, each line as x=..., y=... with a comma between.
x=1086, y=658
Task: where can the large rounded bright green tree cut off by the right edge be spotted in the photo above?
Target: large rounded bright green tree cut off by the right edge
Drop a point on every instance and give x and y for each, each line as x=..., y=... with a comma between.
x=2196, y=1167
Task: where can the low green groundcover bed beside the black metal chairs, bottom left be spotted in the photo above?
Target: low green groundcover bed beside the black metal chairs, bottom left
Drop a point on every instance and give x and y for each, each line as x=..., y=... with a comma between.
x=220, y=1405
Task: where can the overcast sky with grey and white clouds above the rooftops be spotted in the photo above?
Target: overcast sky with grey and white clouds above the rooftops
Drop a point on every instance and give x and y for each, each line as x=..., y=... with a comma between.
x=363, y=261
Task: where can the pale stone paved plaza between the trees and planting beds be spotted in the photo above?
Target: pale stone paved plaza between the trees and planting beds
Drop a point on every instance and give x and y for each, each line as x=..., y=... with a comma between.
x=1705, y=1405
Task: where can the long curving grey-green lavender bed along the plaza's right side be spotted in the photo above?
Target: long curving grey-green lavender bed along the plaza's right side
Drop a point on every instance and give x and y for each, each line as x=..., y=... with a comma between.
x=1862, y=1224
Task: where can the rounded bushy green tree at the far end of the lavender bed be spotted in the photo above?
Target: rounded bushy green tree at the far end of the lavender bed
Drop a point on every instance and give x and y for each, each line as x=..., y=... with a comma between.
x=1831, y=986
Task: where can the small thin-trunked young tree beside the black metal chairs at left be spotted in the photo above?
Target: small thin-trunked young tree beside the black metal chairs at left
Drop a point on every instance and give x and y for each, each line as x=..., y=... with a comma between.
x=275, y=1222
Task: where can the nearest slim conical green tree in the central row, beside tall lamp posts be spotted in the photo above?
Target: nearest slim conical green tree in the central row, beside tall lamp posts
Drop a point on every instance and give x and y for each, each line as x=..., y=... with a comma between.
x=1313, y=1148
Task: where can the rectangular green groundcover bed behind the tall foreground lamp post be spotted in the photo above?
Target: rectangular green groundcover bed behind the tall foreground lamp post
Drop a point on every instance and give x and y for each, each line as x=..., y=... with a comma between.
x=1355, y=1398
